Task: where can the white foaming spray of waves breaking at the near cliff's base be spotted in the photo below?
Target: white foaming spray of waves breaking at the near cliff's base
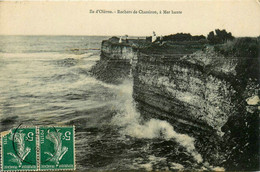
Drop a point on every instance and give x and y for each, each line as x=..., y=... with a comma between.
x=129, y=119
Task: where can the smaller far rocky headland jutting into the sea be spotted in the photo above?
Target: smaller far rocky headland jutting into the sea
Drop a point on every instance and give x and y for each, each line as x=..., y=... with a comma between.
x=116, y=61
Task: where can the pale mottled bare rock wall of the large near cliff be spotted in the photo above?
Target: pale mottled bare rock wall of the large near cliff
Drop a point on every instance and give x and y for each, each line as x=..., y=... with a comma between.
x=192, y=89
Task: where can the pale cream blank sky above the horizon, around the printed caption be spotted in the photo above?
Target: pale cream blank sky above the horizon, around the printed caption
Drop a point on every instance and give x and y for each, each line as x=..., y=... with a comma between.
x=241, y=17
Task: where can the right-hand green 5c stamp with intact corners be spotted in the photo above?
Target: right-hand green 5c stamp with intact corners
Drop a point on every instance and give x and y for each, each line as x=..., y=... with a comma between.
x=56, y=148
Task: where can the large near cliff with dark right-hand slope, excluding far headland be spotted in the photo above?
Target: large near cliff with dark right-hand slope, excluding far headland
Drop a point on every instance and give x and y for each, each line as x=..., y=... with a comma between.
x=202, y=93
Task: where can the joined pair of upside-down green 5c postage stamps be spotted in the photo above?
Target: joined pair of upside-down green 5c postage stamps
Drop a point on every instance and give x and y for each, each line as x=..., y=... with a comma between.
x=38, y=148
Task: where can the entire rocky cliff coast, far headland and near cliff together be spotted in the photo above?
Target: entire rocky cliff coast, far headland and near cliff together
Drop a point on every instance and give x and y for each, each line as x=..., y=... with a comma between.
x=207, y=91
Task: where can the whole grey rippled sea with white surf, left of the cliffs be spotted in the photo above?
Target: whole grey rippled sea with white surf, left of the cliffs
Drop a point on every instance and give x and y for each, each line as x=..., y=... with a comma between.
x=45, y=80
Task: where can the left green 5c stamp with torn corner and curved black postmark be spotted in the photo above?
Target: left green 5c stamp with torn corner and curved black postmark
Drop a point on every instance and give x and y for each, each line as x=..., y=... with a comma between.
x=19, y=149
